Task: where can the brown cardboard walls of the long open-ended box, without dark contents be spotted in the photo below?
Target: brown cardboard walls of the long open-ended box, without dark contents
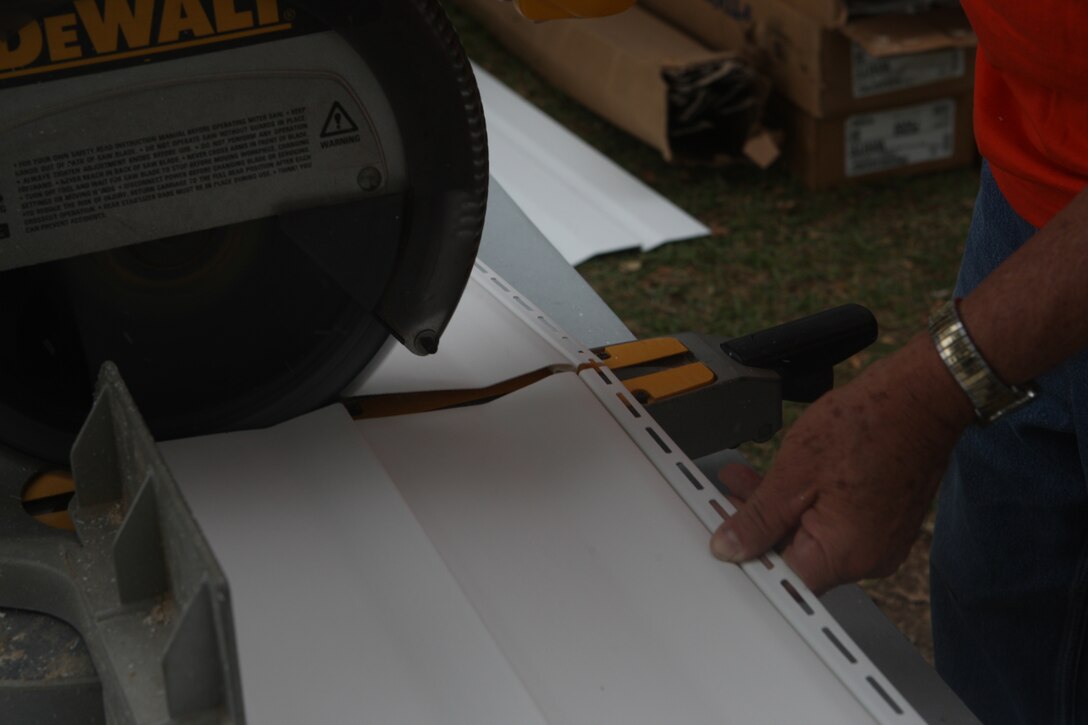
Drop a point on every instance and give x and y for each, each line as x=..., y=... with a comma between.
x=614, y=66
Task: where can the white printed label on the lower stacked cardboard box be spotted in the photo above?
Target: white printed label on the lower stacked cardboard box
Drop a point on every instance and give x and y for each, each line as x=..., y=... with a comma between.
x=900, y=138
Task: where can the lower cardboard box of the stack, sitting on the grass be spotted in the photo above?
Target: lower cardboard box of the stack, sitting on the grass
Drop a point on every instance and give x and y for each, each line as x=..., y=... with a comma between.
x=900, y=141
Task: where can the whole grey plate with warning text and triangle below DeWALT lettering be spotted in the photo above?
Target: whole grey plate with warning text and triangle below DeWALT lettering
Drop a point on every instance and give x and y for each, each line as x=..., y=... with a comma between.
x=155, y=161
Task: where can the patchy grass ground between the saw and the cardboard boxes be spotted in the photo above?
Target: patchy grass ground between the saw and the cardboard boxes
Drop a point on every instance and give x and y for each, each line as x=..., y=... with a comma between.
x=777, y=252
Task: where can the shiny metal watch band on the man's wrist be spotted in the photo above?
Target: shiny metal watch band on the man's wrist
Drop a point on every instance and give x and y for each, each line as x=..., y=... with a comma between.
x=991, y=397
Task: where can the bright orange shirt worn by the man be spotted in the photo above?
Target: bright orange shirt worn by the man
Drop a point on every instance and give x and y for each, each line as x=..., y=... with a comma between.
x=1032, y=101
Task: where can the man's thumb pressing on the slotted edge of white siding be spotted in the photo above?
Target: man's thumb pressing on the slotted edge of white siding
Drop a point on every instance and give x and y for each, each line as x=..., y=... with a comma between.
x=759, y=524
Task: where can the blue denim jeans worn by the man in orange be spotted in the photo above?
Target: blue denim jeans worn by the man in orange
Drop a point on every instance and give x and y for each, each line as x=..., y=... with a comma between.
x=1009, y=569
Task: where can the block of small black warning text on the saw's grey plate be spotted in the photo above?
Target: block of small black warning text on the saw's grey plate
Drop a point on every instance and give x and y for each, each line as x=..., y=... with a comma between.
x=80, y=187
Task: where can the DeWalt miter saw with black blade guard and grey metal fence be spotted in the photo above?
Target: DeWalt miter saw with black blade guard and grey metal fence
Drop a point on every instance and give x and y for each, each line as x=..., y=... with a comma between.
x=232, y=205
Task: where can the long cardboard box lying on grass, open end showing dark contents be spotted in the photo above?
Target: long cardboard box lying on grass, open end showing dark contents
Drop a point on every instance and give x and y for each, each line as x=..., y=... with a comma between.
x=633, y=68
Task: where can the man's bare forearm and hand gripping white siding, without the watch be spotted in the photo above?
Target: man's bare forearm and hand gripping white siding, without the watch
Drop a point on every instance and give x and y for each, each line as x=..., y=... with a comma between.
x=858, y=472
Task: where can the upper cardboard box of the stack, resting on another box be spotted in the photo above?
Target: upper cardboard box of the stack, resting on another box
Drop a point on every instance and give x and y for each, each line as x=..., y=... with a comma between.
x=866, y=65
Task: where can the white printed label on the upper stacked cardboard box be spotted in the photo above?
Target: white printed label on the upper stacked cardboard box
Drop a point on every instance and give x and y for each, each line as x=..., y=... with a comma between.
x=882, y=76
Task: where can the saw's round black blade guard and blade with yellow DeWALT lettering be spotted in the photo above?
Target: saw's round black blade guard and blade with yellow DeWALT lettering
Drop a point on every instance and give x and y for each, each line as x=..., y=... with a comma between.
x=236, y=202
